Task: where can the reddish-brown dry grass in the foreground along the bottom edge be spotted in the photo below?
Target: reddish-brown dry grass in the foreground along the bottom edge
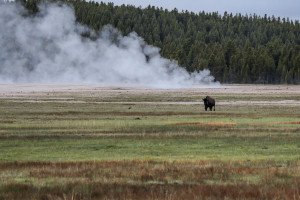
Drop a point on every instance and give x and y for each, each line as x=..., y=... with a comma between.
x=150, y=180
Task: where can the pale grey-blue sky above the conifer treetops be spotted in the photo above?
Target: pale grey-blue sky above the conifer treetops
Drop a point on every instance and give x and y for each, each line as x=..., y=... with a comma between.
x=278, y=8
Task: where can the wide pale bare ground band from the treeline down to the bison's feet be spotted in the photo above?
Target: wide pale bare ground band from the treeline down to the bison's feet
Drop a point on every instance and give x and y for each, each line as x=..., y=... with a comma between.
x=39, y=93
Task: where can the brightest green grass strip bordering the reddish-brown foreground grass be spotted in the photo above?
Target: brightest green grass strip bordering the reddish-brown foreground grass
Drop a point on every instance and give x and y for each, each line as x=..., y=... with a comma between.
x=97, y=149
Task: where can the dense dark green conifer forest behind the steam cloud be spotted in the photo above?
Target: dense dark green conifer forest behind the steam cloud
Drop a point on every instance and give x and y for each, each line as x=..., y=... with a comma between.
x=235, y=48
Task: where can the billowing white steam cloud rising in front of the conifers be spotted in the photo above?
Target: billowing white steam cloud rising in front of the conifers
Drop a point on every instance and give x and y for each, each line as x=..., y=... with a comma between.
x=49, y=48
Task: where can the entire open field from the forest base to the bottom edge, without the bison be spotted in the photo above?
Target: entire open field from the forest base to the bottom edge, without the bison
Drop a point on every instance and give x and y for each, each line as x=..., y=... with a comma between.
x=96, y=142
